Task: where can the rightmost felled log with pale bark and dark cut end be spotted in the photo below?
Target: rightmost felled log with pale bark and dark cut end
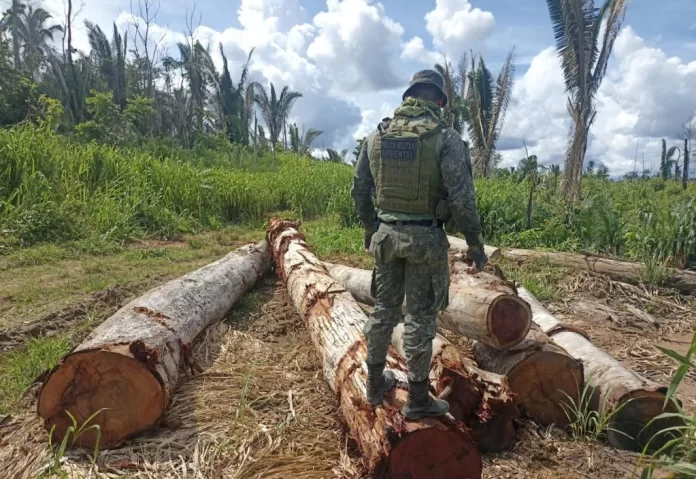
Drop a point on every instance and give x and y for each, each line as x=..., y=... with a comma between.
x=616, y=386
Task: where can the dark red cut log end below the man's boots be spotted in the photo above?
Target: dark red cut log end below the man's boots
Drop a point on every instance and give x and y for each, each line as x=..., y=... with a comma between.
x=434, y=453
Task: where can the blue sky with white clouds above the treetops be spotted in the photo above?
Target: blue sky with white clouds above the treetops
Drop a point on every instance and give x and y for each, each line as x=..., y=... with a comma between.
x=352, y=60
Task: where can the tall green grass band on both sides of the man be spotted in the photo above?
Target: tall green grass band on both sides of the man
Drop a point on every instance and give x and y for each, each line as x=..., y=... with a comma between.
x=54, y=189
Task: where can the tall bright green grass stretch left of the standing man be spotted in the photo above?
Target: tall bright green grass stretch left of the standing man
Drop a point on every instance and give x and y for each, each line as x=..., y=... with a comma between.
x=52, y=189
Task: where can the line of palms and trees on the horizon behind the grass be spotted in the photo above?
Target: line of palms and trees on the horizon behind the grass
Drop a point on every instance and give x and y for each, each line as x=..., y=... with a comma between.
x=126, y=87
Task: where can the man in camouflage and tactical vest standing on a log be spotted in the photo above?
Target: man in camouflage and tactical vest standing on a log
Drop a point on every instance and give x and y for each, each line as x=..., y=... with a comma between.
x=419, y=170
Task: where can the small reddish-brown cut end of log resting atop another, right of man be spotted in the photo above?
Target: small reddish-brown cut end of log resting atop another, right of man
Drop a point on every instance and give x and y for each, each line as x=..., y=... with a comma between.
x=509, y=320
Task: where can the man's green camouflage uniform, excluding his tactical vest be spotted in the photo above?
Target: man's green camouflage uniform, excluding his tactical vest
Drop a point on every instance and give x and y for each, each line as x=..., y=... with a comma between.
x=411, y=260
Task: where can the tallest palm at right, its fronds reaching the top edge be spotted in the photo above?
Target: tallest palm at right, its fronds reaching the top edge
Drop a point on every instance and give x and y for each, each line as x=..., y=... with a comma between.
x=577, y=25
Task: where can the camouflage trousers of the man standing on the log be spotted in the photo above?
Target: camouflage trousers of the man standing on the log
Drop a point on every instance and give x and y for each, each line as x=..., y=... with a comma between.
x=410, y=261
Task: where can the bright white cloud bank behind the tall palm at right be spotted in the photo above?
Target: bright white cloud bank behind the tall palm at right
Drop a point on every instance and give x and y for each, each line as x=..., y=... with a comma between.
x=645, y=96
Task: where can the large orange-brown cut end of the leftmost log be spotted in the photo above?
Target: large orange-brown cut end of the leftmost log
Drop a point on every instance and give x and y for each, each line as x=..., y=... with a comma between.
x=88, y=381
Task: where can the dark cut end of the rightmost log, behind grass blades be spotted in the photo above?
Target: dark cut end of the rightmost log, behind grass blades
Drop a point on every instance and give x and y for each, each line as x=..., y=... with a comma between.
x=629, y=427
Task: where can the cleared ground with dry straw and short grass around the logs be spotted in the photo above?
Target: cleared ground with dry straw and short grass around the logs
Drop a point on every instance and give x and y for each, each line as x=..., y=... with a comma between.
x=261, y=407
